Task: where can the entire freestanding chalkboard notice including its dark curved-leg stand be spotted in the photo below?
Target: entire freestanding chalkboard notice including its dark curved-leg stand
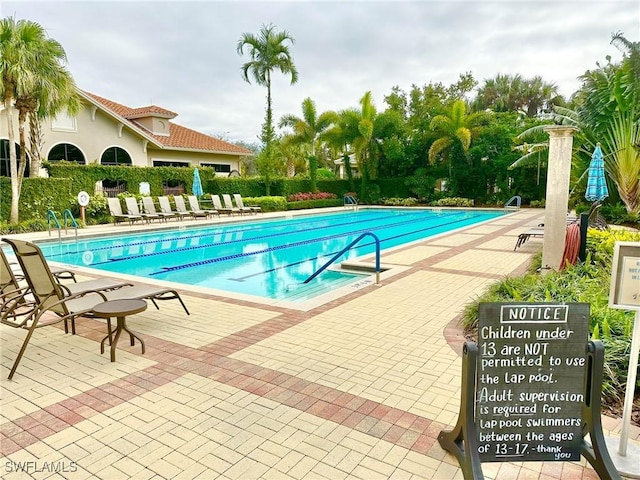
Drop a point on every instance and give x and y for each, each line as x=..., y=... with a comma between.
x=530, y=389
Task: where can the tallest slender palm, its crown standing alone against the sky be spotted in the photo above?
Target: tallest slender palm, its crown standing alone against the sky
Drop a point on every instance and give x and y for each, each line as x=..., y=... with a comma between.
x=268, y=52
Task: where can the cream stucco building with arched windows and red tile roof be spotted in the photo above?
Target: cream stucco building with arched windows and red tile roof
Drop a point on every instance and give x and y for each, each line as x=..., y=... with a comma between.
x=110, y=133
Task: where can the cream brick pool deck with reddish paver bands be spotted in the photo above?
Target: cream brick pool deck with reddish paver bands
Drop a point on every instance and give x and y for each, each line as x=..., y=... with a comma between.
x=358, y=387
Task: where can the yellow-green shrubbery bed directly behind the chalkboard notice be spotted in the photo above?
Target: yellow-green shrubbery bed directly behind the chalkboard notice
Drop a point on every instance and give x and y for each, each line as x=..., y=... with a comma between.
x=586, y=283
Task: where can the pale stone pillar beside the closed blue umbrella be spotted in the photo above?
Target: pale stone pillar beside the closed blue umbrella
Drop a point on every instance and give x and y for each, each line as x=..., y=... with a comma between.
x=557, y=195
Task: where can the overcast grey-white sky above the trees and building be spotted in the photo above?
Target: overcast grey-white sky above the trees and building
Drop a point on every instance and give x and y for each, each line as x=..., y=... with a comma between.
x=181, y=55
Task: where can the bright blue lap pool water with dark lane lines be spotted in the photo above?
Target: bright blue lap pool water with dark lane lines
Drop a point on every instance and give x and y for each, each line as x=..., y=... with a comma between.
x=268, y=258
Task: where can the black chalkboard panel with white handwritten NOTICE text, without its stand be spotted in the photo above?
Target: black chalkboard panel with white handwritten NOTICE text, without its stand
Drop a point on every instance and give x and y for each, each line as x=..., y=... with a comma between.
x=530, y=381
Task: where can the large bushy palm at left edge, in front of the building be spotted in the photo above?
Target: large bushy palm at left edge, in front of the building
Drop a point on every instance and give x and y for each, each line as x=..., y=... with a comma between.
x=33, y=79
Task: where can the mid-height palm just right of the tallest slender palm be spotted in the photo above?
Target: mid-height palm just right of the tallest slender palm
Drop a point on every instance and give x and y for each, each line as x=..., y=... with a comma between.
x=308, y=130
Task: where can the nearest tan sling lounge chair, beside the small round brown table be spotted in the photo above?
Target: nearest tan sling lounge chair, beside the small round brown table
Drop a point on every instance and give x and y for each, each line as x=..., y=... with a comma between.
x=50, y=297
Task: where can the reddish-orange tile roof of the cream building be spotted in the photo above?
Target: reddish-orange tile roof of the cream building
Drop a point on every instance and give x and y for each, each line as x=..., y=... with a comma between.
x=179, y=137
